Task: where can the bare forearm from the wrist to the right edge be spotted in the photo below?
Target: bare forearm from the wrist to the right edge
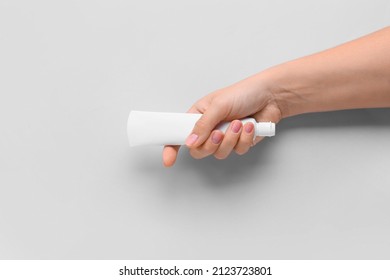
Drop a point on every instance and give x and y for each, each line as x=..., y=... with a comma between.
x=352, y=75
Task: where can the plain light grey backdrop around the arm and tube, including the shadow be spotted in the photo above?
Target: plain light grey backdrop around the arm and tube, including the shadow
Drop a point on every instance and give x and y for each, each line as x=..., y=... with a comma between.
x=70, y=187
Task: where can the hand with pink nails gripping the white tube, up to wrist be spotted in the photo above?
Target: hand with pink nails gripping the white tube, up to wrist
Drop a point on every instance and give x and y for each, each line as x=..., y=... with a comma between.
x=249, y=97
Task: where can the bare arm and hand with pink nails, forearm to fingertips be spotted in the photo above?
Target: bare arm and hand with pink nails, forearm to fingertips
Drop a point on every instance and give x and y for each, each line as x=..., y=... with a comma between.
x=350, y=76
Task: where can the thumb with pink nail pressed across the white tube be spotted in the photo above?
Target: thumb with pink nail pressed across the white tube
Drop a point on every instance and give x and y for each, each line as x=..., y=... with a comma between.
x=213, y=115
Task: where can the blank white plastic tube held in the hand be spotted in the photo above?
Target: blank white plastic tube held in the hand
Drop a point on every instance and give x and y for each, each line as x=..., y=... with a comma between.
x=157, y=128
